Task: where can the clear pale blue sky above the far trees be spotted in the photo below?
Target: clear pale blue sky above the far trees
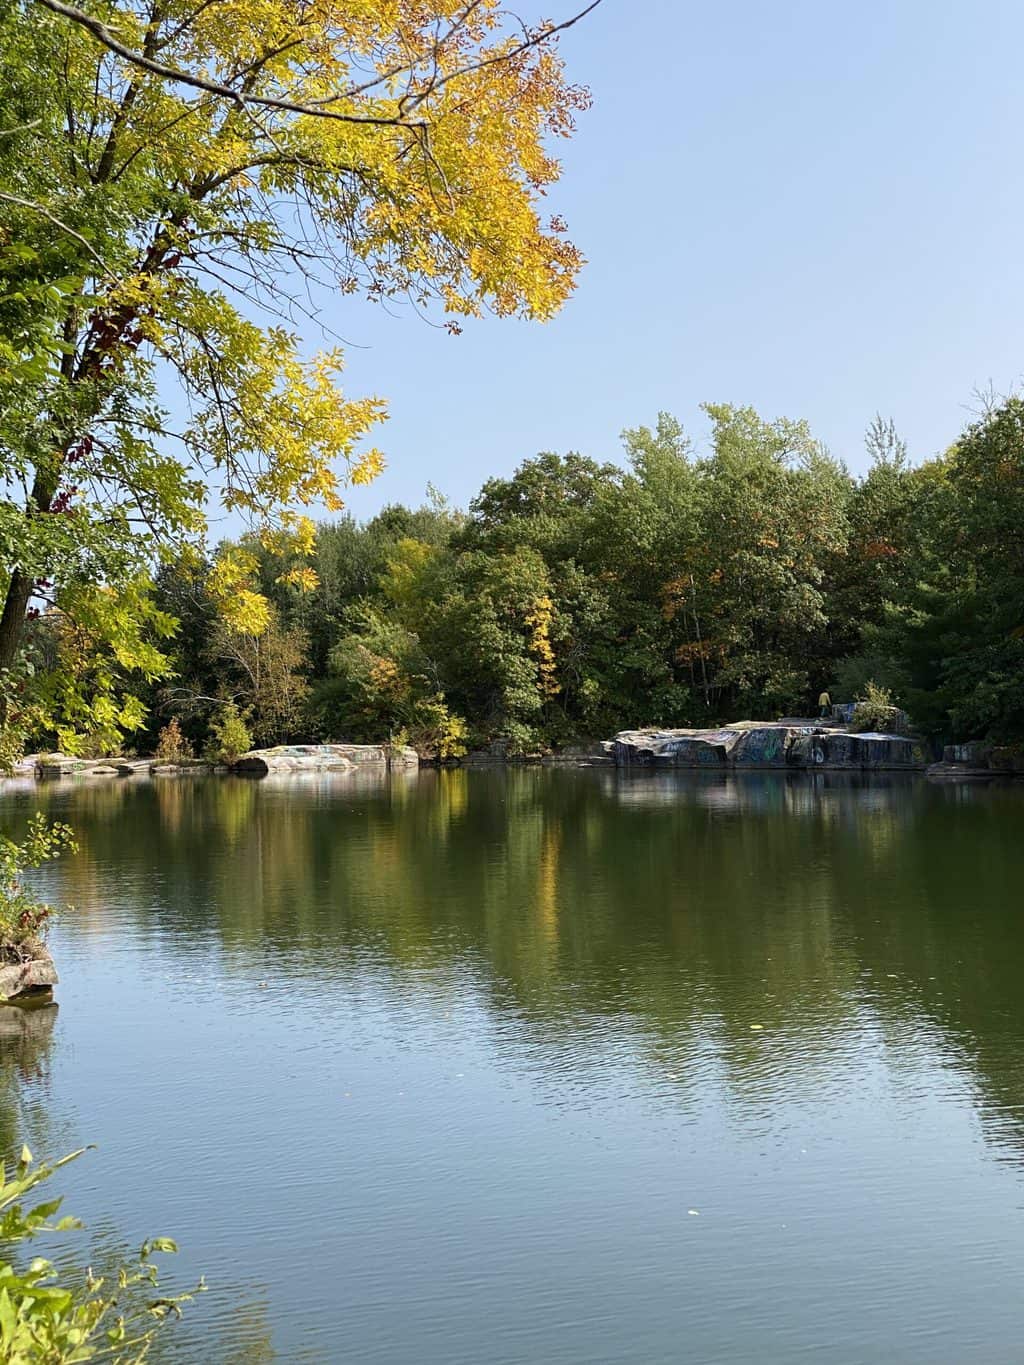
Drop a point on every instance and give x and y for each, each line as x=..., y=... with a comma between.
x=813, y=208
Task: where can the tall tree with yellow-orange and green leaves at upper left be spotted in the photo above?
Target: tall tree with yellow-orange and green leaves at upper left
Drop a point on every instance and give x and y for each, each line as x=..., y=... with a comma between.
x=174, y=179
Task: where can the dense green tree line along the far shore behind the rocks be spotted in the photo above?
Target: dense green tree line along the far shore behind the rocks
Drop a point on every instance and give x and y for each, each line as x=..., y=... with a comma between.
x=682, y=588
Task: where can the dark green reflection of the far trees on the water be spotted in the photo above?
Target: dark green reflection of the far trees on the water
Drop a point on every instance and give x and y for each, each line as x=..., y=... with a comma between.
x=693, y=908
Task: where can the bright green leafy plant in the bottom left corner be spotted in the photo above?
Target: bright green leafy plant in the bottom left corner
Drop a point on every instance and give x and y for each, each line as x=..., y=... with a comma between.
x=46, y=1322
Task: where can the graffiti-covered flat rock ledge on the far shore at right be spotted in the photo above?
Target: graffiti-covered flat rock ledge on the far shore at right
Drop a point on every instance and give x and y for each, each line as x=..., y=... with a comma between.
x=782, y=746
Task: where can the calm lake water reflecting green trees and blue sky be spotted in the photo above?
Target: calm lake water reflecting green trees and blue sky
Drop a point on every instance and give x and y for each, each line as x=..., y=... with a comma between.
x=547, y=1067
